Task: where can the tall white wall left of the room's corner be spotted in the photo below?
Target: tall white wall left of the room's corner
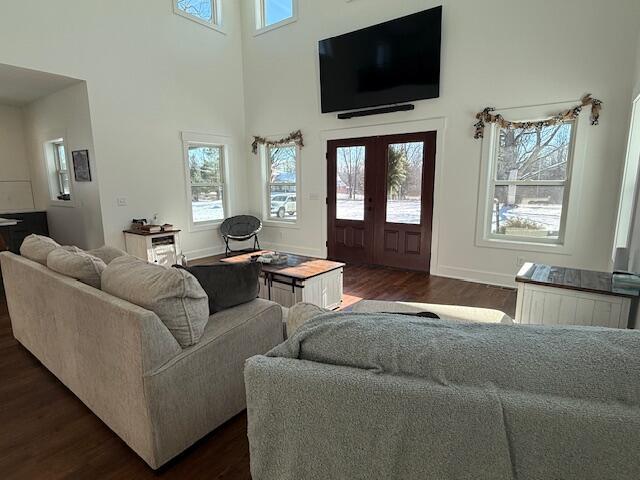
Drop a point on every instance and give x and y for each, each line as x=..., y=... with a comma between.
x=150, y=75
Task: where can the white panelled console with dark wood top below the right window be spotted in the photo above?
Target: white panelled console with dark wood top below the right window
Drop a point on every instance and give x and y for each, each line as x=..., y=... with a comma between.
x=549, y=295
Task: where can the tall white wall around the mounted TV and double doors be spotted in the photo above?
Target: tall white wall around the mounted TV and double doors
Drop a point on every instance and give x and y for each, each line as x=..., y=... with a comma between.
x=495, y=52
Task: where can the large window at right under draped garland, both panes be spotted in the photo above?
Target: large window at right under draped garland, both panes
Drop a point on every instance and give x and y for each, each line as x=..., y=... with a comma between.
x=529, y=183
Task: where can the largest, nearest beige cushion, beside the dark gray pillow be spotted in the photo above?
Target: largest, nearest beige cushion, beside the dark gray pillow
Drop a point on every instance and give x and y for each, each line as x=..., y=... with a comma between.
x=174, y=295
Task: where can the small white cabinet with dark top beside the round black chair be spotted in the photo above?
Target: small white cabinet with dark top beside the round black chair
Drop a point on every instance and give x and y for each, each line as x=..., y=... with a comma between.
x=162, y=248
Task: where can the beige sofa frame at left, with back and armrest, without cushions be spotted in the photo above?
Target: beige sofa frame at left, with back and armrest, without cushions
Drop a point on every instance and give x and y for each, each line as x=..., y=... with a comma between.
x=124, y=363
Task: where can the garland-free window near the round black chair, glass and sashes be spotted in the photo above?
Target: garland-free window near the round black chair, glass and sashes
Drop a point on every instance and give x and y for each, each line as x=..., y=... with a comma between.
x=205, y=165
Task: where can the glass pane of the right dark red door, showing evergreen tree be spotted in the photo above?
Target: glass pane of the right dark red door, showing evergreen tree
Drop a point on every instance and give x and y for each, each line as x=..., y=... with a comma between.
x=404, y=182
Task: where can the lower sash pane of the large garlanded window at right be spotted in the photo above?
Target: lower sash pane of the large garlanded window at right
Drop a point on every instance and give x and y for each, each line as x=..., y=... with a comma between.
x=527, y=211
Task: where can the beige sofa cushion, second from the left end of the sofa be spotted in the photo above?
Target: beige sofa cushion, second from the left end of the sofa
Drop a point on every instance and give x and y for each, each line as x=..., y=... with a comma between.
x=76, y=263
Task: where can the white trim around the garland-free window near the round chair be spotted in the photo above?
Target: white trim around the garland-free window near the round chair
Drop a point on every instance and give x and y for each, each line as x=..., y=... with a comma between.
x=202, y=139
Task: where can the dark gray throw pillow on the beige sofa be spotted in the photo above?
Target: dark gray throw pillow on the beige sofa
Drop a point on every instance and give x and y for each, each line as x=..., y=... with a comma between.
x=227, y=284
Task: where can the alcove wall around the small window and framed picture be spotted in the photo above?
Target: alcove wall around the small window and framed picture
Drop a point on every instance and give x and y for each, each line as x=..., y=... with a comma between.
x=65, y=114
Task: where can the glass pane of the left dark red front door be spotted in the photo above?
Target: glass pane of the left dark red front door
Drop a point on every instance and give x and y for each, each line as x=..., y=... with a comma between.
x=350, y=166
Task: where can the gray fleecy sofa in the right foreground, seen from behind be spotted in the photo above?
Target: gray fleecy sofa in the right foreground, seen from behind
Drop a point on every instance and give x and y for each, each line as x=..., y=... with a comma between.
x=368, y=396
